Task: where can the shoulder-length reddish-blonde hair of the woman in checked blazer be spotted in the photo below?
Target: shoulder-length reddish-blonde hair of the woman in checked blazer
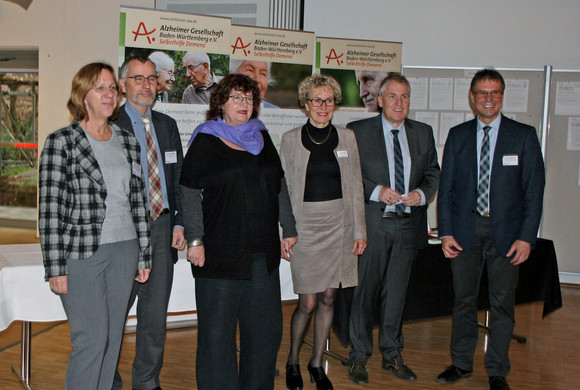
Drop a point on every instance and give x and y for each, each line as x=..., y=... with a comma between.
x=85, y=80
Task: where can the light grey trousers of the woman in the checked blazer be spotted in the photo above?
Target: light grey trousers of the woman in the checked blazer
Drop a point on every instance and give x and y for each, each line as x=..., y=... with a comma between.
x=96, y=305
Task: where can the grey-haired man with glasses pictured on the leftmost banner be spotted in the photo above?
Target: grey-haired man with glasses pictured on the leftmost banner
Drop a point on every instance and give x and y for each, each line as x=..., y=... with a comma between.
x=201, y=78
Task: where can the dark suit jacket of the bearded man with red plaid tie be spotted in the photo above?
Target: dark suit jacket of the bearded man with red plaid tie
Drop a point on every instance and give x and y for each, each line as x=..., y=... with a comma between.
x=169, y=140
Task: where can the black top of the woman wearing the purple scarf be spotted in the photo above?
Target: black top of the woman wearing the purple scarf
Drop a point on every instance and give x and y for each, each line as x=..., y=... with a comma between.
x=240, y=205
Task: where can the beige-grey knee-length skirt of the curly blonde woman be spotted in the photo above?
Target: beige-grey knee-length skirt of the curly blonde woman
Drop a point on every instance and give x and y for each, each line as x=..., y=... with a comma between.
x=323, y=255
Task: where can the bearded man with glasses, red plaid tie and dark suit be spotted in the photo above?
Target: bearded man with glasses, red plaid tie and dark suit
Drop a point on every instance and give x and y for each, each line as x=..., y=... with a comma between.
x=138, y=80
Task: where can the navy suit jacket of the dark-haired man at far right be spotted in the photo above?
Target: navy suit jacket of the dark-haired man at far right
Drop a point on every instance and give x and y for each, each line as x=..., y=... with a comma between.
x=516, y=191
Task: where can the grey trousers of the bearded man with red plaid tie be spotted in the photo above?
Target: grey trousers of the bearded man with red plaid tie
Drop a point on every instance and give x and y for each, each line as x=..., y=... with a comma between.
x=152, y=309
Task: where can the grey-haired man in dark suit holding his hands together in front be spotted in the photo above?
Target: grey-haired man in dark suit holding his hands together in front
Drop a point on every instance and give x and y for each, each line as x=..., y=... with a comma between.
x=400, y=174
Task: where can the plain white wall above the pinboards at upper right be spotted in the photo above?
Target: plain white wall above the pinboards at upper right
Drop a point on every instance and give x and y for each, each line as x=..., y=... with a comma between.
x=462, y=33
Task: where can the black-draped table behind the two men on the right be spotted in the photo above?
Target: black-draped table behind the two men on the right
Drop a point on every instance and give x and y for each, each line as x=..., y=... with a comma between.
x=430, y=291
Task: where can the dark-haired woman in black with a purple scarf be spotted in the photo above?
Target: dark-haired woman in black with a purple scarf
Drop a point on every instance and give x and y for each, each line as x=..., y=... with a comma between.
x=234, y=188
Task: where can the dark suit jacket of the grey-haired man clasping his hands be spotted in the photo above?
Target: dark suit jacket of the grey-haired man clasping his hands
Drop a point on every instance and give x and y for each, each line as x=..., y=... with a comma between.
x=375, y=168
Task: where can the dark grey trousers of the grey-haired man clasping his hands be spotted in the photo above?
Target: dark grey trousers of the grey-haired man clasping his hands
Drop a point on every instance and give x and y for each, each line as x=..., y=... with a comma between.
x=383, y=272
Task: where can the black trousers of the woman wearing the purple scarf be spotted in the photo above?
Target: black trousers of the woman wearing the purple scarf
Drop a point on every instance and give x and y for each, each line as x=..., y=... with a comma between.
x=256, y=304
